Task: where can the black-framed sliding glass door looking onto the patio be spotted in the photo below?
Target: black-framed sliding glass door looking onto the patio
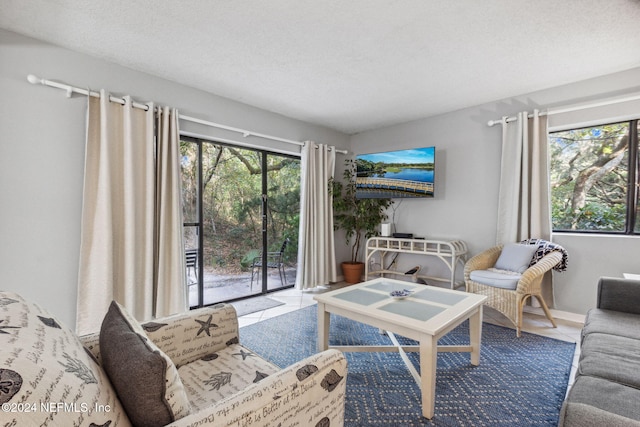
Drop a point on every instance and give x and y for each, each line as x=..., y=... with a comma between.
x=241, y=210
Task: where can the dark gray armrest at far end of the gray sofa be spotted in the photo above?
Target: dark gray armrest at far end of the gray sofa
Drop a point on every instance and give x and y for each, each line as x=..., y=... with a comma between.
x=619, y=295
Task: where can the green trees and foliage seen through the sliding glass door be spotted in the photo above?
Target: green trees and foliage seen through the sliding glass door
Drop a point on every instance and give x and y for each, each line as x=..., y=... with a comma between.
x=232, y=203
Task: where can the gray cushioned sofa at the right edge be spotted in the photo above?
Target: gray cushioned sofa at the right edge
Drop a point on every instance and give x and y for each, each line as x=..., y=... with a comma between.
x=606, y=391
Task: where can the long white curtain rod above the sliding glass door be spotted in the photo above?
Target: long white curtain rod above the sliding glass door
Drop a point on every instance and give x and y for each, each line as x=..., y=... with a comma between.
x=245, y=133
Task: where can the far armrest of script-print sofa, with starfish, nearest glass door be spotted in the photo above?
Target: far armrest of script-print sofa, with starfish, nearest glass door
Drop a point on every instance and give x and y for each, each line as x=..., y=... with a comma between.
x=188, y=336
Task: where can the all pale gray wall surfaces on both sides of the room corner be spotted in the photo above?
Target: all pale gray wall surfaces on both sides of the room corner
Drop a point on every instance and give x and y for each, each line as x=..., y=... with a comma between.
x=42, y=155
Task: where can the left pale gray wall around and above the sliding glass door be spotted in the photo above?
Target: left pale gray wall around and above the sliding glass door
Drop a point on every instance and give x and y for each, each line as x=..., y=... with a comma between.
x=42, y=157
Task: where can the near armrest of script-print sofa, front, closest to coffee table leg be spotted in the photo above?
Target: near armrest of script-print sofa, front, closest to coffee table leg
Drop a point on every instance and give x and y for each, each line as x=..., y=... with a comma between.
x=308, y=393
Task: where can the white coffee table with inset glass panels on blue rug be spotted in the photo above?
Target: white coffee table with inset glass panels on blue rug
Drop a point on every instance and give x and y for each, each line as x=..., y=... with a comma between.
x=425, y=316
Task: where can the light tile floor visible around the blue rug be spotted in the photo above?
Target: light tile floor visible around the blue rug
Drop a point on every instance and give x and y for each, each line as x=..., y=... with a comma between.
x=295, y=299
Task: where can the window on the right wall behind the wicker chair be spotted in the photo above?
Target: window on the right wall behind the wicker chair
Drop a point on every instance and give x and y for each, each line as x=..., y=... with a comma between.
x=594, y=179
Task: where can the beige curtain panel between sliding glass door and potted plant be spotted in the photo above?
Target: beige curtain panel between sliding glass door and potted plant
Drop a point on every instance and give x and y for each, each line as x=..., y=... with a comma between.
x=316, y=251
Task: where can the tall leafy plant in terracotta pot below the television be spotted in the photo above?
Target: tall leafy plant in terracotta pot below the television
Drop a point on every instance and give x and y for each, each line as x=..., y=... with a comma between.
x=357, y=217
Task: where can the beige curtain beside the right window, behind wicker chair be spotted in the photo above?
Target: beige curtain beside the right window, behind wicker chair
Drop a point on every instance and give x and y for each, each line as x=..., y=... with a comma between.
x=524, y=205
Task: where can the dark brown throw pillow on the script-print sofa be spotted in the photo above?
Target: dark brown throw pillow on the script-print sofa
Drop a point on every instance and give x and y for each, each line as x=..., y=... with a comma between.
x=145, y=379
